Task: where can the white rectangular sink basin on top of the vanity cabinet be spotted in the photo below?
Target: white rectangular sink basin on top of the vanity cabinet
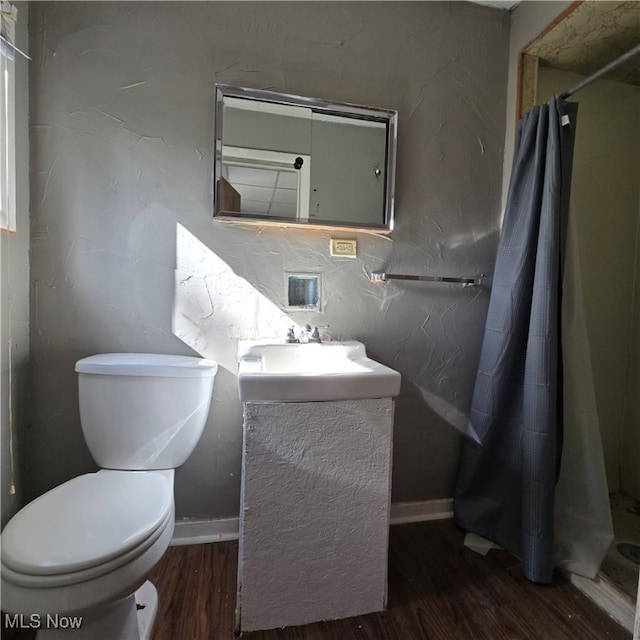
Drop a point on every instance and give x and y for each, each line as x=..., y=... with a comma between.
x=282, y=372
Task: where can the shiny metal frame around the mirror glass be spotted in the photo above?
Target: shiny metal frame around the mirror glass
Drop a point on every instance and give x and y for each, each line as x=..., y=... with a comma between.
x=388, y=116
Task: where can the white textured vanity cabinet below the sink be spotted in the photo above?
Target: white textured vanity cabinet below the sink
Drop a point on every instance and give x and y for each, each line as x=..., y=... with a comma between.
x=314, y=520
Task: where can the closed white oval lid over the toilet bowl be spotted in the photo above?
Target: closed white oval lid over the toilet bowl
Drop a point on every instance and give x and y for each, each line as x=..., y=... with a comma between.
x=86, y=521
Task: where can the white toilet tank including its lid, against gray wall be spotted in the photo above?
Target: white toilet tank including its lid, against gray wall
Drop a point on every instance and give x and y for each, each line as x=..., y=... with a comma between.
x=143, y=411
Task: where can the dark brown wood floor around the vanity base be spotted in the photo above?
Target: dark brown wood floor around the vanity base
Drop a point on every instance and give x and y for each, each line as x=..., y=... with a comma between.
x=438, y=590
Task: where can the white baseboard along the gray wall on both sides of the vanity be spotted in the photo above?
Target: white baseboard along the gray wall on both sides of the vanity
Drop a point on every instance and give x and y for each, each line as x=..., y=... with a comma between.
x=204, y=531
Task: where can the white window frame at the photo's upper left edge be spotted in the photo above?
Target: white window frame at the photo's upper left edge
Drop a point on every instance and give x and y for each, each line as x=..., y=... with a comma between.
x=7, y=120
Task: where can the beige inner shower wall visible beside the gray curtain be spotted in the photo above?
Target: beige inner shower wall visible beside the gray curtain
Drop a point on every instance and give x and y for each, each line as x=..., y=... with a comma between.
x=604, y=200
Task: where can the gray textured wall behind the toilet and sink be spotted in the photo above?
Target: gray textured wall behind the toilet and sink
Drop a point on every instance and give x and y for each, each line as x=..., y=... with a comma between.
x=126, y=256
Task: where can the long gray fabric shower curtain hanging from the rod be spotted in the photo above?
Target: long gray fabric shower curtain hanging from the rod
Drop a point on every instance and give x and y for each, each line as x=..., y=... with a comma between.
x=510, y=457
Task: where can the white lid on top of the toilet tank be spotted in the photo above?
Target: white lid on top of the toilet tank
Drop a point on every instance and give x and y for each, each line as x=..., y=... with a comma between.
x=148, y=365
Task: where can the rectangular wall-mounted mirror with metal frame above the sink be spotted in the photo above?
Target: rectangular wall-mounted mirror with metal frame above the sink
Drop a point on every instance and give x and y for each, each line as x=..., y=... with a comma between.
x=288, y=159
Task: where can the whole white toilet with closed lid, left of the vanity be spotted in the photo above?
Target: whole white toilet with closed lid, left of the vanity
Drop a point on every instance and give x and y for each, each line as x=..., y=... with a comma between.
x=76, y=559
